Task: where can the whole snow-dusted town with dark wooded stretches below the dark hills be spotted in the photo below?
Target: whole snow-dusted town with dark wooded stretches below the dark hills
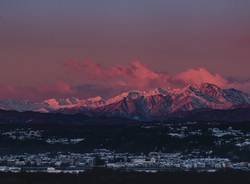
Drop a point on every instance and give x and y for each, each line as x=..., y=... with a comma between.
x=170, y=147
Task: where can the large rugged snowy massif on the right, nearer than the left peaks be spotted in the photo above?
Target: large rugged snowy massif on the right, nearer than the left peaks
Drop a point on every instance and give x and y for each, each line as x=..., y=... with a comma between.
x=160, y=104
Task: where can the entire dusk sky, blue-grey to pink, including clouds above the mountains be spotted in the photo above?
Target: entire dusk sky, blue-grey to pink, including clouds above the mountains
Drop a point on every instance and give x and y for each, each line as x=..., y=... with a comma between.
x=88, y=47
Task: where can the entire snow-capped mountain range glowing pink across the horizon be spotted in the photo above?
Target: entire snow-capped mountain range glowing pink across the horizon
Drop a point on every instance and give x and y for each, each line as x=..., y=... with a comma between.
x=142, y=105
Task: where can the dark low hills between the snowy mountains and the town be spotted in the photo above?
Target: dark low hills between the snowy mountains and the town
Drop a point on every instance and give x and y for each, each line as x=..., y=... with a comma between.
x=203, y=115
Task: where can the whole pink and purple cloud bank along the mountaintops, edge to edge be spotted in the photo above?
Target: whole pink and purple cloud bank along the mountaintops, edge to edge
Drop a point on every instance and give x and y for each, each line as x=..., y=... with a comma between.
x=88, y=79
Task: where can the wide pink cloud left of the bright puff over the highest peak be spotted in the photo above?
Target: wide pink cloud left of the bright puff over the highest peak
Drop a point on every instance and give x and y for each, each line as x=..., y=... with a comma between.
x=136, y=75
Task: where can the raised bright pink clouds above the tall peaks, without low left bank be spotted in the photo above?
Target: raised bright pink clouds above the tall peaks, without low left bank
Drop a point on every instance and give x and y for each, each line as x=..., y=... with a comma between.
x=139, y=76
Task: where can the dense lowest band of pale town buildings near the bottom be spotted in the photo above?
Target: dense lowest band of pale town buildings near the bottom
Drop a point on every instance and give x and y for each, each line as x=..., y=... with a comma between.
x=80, y=162
